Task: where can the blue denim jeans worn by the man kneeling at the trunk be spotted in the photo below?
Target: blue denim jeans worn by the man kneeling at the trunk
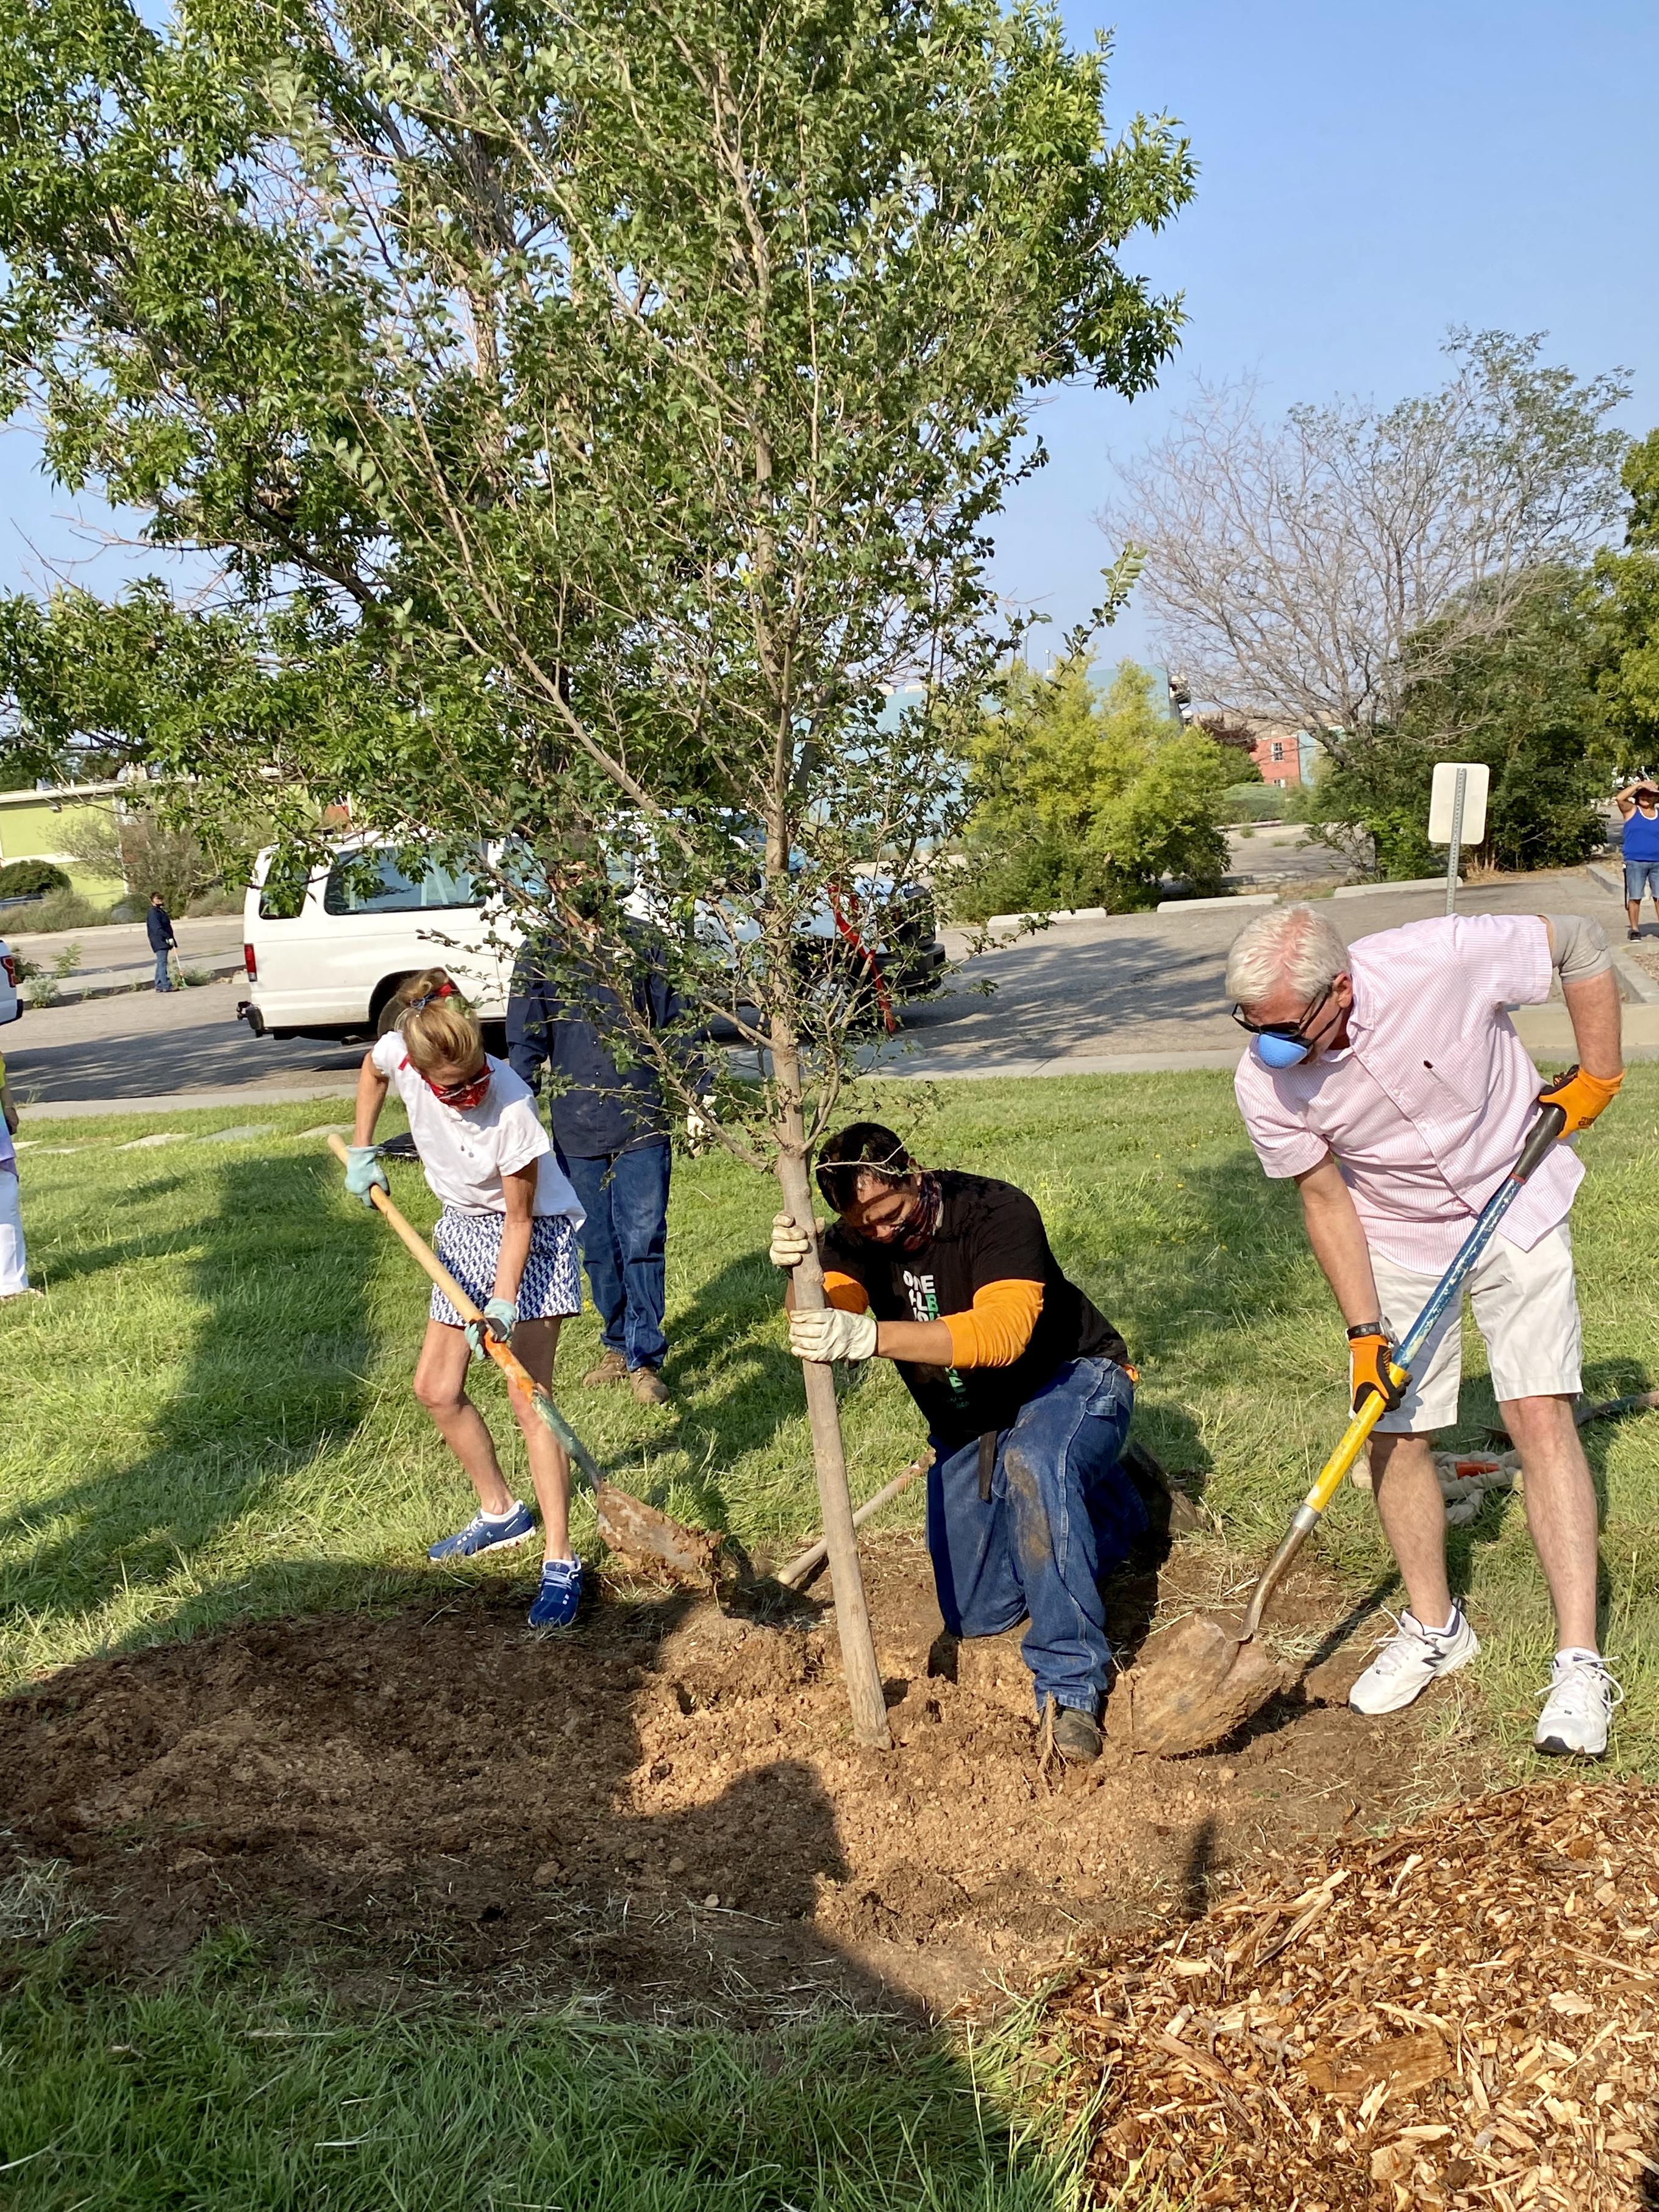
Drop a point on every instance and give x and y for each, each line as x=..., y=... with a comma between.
x=1061, y=1516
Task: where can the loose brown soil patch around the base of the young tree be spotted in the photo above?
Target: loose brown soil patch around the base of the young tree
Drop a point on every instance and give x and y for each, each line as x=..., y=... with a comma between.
x=662, y=1813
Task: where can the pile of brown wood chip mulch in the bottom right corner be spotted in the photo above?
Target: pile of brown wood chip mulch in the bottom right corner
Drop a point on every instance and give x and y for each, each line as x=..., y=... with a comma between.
x=1463, y=2016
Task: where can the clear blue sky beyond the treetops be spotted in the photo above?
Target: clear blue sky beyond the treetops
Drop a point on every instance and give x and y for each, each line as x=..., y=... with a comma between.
x=1370, y=174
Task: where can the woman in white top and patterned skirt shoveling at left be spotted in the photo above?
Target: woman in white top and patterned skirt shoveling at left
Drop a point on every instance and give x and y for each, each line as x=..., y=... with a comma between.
x=508, y=1235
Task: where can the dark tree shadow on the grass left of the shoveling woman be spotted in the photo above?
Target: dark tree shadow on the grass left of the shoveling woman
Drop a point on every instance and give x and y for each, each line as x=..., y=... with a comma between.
x=271, y=1381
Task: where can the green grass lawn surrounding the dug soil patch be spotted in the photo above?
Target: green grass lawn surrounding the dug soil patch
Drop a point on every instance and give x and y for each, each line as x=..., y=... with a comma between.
x=211, y=1417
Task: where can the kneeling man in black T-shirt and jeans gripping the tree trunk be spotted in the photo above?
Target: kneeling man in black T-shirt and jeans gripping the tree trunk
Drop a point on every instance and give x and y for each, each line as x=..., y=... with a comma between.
x=1023, y=1388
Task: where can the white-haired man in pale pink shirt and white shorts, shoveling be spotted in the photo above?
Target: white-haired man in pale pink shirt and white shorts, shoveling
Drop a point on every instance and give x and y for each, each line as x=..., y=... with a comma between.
x=1388, y=1081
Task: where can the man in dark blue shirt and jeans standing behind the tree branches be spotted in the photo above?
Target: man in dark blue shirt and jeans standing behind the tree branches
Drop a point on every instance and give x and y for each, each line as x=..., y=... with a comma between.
x=612, y=1131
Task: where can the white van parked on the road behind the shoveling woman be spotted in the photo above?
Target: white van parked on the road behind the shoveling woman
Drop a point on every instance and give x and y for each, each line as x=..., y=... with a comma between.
x=326, y=950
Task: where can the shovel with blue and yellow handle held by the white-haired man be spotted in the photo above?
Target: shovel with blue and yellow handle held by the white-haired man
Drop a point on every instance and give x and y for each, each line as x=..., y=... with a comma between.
x=1200, y=1680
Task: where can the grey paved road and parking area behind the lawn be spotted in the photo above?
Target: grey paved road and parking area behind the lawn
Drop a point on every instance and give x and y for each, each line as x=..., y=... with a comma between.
x=1078, y=999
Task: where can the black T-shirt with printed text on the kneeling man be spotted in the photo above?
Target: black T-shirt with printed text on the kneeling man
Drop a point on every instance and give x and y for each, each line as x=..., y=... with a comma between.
x=988, y=1233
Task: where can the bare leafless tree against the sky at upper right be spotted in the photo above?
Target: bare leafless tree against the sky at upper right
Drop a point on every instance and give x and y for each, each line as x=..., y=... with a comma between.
x=1288, y=563
